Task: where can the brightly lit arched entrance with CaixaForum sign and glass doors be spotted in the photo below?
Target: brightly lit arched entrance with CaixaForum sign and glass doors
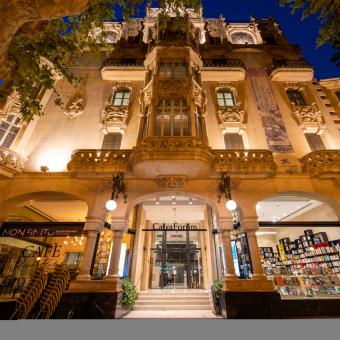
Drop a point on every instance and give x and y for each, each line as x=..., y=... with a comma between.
x=175, y=242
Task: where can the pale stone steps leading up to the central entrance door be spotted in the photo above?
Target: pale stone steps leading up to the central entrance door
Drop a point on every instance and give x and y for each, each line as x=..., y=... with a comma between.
x=173, y=300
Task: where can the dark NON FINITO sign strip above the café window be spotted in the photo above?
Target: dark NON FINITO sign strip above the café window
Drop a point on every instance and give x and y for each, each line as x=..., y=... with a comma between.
x=41, y=229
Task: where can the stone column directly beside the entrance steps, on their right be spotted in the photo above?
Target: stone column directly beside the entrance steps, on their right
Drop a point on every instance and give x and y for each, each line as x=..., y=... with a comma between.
x=225, y=226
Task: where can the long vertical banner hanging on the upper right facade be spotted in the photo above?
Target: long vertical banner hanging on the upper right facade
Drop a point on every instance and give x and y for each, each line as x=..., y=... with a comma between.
x=272, y=122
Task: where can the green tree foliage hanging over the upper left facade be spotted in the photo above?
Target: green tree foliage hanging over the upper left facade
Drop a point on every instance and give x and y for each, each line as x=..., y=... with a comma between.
x=36, y=57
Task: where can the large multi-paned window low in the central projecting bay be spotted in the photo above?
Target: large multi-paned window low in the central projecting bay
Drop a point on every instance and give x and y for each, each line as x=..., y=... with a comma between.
x=172, y=118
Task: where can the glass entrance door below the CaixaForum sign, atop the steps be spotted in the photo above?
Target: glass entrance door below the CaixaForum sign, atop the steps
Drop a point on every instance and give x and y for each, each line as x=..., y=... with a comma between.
x=175, y=260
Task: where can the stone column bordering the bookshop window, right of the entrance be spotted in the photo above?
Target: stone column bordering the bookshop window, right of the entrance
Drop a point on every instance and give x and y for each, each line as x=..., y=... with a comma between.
x=250, y=225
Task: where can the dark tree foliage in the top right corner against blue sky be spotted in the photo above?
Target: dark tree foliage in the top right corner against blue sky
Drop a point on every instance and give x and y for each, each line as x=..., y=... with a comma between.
x=328, y=13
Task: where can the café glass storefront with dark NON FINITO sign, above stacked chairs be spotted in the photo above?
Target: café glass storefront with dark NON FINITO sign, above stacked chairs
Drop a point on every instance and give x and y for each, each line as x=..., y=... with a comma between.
x=21, y=252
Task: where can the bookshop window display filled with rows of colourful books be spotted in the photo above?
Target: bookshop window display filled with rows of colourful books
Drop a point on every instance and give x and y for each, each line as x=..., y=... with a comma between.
x=306, y=267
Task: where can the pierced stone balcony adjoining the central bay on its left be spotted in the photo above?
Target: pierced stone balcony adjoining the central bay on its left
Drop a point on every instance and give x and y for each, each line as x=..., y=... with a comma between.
x=85, y=163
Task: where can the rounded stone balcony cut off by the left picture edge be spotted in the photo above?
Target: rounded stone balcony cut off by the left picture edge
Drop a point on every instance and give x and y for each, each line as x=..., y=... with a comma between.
x=11, y=162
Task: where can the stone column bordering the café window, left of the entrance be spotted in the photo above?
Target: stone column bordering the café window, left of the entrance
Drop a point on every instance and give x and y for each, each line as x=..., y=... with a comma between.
x=93, y=228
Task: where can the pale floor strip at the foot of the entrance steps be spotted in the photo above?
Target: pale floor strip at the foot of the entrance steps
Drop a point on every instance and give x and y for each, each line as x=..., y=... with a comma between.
x=171, y=314
